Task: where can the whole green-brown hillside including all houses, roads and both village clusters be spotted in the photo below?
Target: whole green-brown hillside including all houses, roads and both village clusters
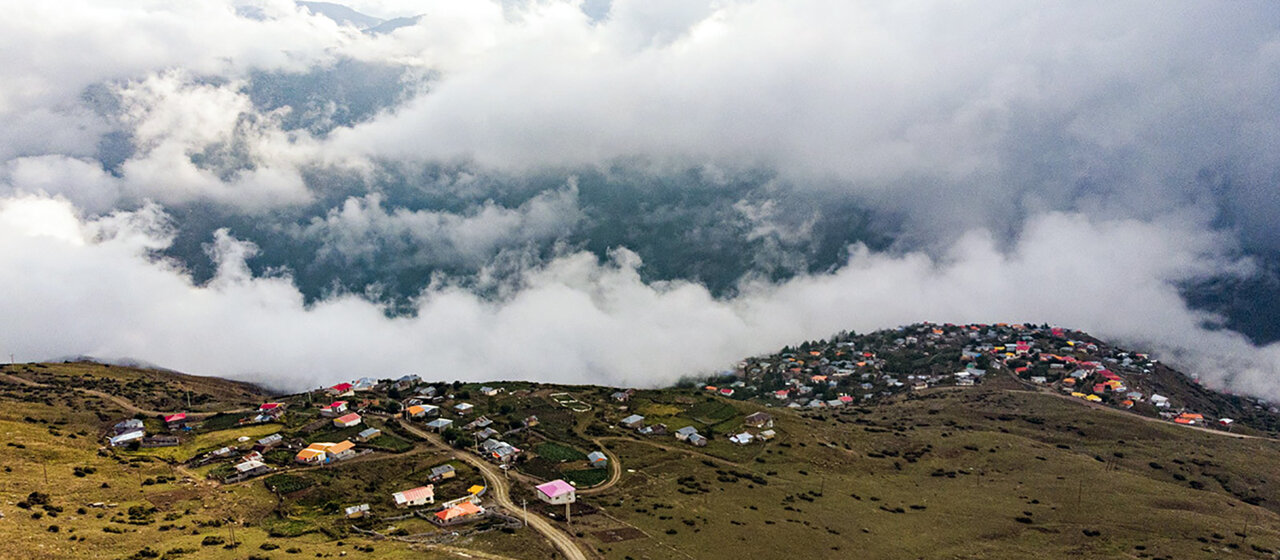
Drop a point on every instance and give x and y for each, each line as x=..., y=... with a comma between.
x=522, y=470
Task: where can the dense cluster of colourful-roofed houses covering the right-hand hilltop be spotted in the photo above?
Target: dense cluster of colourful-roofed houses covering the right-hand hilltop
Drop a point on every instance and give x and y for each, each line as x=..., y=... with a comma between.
x=867, y=369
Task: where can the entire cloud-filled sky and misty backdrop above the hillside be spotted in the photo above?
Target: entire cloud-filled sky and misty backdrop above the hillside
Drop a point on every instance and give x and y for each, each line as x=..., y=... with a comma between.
x=630, y=192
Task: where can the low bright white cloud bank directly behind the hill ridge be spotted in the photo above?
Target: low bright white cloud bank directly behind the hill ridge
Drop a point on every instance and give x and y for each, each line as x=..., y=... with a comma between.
x=94, y=287
